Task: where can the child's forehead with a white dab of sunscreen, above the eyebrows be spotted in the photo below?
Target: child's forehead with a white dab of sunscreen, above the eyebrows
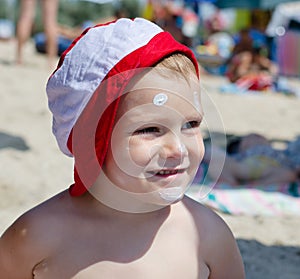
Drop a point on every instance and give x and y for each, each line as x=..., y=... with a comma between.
x=159, y=90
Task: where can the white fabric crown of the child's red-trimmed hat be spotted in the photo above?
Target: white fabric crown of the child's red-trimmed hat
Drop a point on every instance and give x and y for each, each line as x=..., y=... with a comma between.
x=84, y=67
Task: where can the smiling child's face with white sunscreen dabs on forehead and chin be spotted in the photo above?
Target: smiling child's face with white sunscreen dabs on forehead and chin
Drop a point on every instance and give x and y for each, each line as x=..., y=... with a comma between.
x=156, y=145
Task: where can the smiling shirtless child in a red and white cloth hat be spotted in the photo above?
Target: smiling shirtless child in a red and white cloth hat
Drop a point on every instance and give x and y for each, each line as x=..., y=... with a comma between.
x=125, y=102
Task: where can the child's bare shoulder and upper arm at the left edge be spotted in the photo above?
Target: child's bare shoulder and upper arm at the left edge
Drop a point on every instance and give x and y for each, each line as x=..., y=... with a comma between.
x=31, y=237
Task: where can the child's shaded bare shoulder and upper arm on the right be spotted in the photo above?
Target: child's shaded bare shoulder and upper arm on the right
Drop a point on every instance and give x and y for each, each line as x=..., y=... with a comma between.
x=217, y=244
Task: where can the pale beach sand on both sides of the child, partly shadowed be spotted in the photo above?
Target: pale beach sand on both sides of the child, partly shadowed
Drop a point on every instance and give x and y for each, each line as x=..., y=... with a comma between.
x=33, y=168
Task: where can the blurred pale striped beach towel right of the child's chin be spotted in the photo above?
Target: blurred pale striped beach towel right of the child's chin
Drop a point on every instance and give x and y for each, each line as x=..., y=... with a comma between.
x=271, y=200
